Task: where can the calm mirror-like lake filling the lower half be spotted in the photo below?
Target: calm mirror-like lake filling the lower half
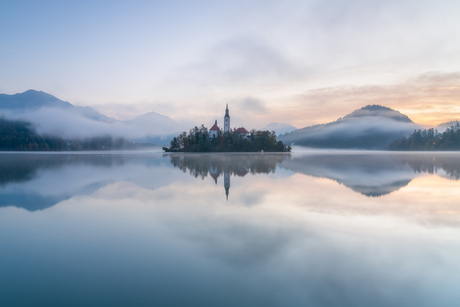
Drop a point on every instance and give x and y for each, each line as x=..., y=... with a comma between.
x=310, y=228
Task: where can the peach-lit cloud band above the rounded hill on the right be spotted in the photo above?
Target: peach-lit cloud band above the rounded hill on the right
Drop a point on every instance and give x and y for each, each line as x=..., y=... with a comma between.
x=429, y=98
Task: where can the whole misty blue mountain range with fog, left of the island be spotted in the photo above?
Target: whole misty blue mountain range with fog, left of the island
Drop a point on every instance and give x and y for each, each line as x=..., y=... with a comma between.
x=50, y=116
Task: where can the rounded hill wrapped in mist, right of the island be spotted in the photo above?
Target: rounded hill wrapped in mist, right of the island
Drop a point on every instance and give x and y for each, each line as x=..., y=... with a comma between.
x=371, y=127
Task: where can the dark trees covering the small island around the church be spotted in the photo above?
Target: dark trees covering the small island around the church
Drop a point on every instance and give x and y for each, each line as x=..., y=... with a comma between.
x=199, y=140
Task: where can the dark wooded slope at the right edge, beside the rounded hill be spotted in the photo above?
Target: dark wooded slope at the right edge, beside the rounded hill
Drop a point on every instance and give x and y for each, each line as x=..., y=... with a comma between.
x=430, y=139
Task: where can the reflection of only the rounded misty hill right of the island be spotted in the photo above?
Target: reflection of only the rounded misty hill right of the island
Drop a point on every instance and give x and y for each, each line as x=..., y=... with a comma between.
x=369, y=174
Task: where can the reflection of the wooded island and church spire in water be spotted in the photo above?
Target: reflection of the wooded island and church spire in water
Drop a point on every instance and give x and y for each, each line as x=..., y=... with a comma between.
x=225, y=165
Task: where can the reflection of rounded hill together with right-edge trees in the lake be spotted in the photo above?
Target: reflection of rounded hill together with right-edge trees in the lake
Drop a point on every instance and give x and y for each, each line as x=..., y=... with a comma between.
x=375, y=174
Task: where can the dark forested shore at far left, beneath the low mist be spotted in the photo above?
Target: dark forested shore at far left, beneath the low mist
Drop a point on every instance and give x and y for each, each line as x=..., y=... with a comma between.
x=20, y=136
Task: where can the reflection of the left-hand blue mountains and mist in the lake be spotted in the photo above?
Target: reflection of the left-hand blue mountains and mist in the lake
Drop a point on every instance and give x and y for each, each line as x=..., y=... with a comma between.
x=39, y=181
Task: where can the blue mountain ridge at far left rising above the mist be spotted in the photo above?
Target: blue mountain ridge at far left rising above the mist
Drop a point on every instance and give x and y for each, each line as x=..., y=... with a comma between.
x=33, y=100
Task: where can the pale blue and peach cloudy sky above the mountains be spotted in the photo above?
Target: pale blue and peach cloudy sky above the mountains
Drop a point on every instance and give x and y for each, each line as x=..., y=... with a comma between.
x=300, y=62
